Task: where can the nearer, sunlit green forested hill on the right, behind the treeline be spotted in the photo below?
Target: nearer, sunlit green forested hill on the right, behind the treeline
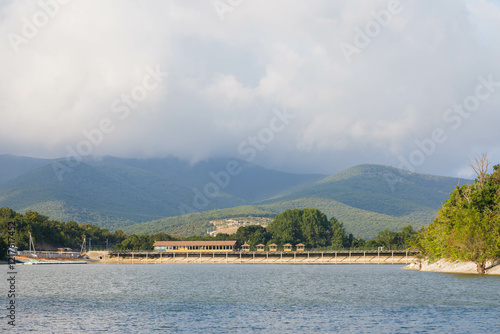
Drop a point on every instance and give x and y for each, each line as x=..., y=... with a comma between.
x=366, y=199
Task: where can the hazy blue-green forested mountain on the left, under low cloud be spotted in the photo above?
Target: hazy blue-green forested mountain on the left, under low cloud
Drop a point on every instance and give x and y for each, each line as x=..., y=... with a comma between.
x=115, y=193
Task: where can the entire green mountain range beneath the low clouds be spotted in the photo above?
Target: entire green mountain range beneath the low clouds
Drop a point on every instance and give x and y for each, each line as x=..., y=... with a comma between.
x=174, y=196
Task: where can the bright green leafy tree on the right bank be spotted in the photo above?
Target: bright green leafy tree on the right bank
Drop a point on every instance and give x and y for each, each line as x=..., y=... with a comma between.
x=467, y=226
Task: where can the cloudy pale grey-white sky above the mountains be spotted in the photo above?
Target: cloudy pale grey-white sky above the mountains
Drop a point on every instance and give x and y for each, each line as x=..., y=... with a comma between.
x=299, y=86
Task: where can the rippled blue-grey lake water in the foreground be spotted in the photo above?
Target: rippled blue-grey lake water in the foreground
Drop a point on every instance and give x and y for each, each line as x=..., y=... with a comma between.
x=252, y=299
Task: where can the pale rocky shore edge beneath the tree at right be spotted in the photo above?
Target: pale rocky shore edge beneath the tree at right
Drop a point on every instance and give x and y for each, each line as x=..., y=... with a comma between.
x=457, y=267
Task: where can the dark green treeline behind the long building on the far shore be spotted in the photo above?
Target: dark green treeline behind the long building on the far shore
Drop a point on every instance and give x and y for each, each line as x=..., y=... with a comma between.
x=308, y=226
